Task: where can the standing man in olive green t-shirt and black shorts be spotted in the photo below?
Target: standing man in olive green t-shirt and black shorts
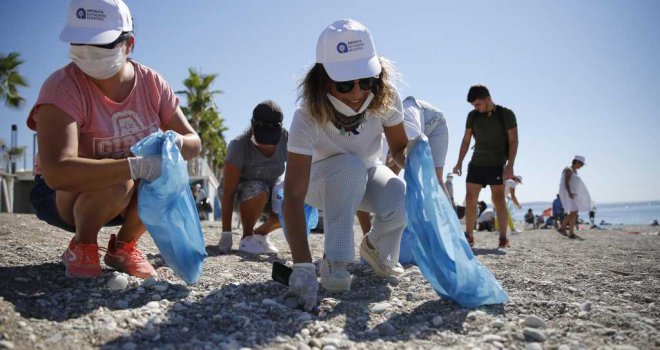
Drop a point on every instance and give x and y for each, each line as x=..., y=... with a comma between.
x=496, y=143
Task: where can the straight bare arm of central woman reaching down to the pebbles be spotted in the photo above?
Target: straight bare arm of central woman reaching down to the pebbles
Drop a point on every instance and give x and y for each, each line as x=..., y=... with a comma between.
x=295, y=189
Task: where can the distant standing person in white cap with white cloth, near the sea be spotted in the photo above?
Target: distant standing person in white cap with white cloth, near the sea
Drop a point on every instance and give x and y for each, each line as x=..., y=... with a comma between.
x=574, y=195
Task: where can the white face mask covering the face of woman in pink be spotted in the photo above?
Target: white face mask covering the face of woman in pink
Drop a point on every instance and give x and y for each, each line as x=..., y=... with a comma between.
x=96, y=62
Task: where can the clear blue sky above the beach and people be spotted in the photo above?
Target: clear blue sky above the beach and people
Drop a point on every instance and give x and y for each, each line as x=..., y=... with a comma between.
x=582, y=76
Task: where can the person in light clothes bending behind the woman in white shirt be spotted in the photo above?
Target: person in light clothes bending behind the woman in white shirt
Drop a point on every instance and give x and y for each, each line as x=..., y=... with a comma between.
x=419, y=117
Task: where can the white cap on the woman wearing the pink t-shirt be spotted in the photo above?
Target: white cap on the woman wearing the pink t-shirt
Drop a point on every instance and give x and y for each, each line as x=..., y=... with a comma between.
x=96, y=22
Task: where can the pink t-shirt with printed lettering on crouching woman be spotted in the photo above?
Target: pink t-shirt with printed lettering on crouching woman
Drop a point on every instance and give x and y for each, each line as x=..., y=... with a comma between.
x=108, y=129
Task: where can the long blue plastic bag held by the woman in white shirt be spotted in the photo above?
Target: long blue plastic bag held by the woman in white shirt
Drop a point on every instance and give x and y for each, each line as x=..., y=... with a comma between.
x=440, y=248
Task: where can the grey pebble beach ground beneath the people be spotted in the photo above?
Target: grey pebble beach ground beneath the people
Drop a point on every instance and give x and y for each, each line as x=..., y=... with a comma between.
x=597, y=292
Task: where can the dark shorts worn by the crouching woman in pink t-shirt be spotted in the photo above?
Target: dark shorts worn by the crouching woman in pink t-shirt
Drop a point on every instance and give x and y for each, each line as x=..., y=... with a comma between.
x=42, y=198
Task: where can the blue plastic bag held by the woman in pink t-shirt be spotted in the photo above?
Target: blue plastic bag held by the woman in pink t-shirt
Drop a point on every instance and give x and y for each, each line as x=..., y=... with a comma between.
x=167, y=208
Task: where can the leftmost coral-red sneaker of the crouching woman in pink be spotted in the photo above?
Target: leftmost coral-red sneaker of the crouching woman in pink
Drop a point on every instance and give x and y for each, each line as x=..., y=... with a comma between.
x=82, y=260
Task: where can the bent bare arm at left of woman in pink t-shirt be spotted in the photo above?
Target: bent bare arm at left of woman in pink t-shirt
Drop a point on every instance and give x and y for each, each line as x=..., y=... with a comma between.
x=61, y=167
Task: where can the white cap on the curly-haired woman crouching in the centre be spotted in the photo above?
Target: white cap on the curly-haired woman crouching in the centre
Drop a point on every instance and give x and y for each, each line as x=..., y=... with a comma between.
x=347, y=52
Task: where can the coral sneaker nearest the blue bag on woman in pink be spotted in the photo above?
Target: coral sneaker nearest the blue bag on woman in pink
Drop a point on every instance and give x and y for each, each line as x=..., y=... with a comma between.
x=126, y=257
